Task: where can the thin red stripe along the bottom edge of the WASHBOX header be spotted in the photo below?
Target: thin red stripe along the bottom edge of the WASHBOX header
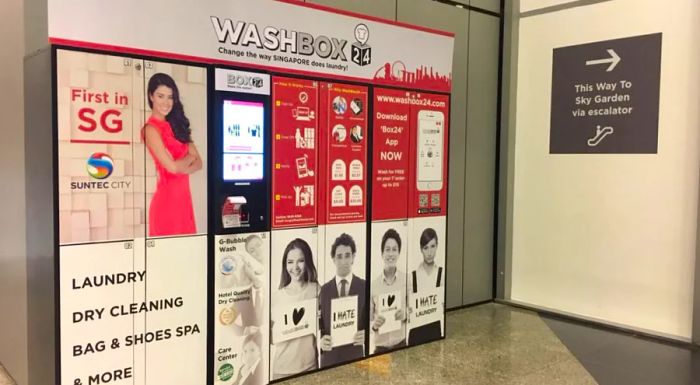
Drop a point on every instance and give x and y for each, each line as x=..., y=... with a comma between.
x=205, y=60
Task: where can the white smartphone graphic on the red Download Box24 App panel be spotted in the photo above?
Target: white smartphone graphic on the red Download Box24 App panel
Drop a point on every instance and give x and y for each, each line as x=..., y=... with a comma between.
x=431, y=126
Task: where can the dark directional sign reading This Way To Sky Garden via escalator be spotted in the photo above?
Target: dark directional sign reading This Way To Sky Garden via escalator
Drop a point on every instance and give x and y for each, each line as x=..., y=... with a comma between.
x=605, y=97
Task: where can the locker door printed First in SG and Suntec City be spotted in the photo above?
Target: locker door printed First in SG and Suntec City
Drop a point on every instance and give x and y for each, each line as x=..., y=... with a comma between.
x=96, y=107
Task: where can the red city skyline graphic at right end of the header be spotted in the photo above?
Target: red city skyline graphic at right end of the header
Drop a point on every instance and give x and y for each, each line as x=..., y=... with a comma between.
x=423, y=77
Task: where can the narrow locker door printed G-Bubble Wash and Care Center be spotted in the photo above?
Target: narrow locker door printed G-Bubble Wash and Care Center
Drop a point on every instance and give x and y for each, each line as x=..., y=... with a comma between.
x=241, y=312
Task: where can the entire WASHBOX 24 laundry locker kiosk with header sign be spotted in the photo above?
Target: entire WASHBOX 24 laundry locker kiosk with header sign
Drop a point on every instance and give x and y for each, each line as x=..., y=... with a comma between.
x=242, y=192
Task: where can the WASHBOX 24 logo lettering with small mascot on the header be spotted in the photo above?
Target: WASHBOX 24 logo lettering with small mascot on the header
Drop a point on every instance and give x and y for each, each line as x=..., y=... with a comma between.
x=273, y=40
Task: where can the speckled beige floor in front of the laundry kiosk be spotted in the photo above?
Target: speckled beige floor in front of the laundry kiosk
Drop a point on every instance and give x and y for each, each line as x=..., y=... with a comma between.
x=487, y=344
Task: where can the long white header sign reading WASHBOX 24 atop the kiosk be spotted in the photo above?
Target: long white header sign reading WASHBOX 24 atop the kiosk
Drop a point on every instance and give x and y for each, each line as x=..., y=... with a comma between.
x=274, y=35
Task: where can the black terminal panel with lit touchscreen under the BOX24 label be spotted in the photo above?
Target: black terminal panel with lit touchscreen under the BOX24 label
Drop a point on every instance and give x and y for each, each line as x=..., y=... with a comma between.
x=241, y=151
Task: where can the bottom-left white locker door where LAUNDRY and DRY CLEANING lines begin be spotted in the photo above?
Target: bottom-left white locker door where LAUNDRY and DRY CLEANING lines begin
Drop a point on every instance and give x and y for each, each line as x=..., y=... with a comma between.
x=96, y=291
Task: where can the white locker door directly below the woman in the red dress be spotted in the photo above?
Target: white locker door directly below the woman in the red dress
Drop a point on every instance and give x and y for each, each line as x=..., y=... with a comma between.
x=176, y=311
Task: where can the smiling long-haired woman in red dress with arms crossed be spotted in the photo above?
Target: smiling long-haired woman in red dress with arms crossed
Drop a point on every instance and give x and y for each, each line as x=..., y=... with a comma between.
x=168, y=138
